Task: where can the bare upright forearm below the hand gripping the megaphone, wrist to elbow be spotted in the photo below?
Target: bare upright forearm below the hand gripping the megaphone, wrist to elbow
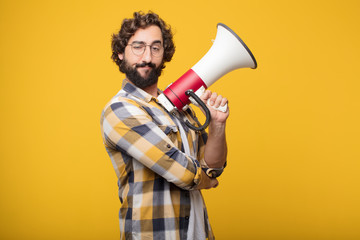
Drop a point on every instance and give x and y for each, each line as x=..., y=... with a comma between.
x=216, y=148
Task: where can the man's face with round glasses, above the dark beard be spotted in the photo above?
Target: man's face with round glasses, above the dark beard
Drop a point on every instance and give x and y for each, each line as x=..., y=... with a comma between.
x=149, y=36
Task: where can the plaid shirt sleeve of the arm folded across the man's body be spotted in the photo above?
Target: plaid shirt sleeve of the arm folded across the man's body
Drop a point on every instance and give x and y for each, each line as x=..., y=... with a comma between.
x=128, y=128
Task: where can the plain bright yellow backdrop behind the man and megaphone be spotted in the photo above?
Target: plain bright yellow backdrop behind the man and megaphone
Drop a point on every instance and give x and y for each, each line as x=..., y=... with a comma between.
x=293, y=134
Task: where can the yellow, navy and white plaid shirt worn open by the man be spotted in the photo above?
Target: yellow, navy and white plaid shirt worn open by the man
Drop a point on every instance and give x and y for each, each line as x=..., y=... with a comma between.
x=154, y=174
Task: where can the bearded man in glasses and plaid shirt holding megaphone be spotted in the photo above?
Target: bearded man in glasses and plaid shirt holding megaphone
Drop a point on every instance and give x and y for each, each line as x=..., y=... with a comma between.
x=160, y=163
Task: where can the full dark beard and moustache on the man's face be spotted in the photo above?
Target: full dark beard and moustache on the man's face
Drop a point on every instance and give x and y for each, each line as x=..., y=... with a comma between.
x=133, y=75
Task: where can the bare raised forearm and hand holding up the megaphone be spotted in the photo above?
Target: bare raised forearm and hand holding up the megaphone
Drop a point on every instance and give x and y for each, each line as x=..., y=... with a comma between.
x=216, y=147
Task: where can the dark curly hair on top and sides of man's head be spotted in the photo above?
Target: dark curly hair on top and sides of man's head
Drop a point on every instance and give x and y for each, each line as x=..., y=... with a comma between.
x=131, y=25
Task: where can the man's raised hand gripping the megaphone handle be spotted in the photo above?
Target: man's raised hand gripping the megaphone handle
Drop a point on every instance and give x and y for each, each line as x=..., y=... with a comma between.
x=215, y=101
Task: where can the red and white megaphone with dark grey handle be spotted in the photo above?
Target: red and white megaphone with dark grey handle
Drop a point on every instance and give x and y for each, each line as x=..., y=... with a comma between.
x=227, y=53
